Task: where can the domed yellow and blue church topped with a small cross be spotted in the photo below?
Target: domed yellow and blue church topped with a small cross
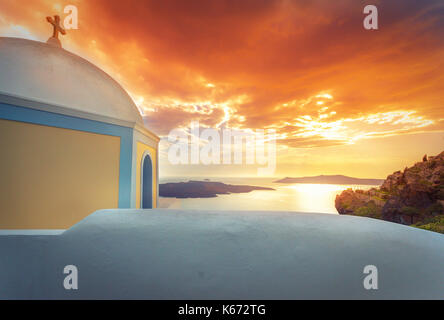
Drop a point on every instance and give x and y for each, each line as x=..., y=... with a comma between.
x=72, y=140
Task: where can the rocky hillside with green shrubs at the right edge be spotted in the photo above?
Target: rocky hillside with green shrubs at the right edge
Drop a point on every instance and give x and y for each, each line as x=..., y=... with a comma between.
x=414, y=196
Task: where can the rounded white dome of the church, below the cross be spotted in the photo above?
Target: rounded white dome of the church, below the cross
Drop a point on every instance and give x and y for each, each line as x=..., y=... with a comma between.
x=47, y=75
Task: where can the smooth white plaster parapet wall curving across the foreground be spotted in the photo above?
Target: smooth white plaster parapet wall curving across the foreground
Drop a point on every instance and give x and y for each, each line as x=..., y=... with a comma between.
x=169, y=254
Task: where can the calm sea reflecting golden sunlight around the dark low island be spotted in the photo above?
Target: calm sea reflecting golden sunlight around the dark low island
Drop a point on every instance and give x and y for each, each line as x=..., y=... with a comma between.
x=292, y=197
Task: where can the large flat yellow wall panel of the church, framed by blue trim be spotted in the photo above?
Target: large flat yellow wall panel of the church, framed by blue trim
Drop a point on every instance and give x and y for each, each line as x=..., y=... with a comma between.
x=51, y=178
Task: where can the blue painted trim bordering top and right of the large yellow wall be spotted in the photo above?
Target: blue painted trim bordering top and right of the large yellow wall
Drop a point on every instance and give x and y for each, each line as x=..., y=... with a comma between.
x=22, y=114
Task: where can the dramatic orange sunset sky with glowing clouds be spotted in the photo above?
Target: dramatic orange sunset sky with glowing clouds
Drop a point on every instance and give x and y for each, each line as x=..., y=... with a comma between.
x=342, y=99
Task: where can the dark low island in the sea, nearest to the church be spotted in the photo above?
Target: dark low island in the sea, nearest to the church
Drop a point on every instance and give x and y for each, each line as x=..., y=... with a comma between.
x=202, y=189
